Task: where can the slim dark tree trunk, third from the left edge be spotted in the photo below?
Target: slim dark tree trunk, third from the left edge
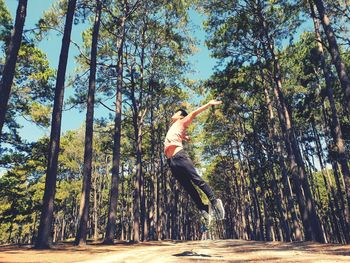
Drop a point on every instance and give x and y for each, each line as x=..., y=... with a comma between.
x=86, y=187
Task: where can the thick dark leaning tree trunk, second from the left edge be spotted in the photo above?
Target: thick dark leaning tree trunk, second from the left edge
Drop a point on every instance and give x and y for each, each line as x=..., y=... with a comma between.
x=45, y=226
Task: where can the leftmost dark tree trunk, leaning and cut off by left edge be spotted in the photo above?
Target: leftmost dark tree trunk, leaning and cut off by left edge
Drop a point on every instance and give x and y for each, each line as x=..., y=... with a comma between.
x=11, y=59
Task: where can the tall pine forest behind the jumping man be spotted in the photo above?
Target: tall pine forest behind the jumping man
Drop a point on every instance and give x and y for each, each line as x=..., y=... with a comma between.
x=276, y=151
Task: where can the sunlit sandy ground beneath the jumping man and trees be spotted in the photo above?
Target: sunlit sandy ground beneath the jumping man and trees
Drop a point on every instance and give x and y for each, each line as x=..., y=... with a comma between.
x=182, y=251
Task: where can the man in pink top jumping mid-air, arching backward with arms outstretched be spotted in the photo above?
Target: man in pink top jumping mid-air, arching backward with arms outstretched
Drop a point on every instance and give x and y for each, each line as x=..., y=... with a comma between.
x=181, y=165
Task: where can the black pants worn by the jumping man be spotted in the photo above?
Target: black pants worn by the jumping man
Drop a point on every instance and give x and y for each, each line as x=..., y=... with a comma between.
x=183, y=170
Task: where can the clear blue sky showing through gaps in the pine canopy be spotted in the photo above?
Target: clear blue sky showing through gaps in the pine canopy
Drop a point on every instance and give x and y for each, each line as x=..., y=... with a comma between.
x=73, y=119
